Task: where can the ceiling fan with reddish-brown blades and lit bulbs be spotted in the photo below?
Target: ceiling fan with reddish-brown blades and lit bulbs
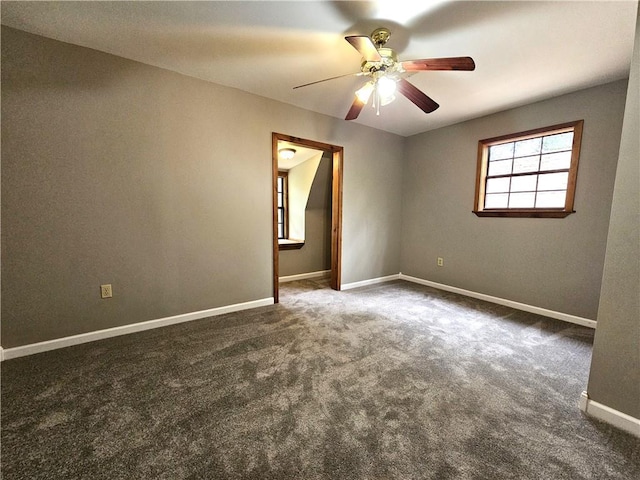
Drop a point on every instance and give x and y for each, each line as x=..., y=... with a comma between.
x=387, y=74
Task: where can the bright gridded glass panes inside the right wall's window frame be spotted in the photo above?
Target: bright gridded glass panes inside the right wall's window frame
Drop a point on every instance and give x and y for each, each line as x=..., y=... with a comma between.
x=530, y=173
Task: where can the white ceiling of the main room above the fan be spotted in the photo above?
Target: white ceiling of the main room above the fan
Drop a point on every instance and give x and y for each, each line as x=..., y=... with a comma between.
x=524, y=50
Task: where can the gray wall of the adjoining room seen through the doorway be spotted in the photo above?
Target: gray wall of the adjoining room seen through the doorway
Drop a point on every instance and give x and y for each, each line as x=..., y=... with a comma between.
x=315, y=255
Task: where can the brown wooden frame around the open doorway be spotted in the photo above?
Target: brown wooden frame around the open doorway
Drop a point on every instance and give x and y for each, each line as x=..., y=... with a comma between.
x=336, y=206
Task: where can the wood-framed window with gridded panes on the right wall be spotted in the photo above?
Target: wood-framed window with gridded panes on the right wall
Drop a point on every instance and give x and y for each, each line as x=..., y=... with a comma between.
x=529, y=174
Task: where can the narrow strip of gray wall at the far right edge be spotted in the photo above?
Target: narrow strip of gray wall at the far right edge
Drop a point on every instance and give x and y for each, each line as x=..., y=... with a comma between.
x=615, y=366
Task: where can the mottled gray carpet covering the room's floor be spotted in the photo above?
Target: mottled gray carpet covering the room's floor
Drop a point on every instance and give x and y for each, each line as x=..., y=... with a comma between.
x=394, y=381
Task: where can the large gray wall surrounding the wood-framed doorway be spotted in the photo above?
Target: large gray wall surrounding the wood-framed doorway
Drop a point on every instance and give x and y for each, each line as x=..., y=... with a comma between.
x=118, y=172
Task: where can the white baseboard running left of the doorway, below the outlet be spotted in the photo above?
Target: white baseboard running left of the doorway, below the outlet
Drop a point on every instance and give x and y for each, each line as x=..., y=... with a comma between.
x=39, y=347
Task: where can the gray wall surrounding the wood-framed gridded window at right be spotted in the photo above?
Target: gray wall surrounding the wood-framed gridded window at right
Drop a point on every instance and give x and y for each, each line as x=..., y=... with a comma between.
x=550, y=263
